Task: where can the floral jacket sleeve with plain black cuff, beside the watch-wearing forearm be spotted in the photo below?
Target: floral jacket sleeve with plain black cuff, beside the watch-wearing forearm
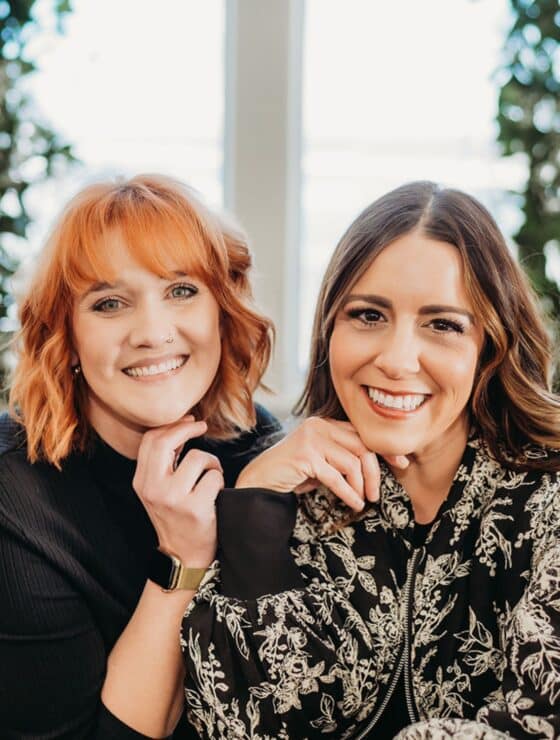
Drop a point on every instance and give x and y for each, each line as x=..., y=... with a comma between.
x=274, y=663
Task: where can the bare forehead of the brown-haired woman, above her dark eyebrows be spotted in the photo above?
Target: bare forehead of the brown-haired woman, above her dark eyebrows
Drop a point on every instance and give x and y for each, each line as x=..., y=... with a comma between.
x=417, y=270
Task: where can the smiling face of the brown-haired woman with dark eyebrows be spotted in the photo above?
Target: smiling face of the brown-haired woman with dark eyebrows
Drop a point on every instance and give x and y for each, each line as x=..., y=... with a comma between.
x=404, y=349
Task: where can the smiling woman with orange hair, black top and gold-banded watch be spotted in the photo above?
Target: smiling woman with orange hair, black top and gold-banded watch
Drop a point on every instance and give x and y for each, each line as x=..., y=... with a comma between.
x=139, y=316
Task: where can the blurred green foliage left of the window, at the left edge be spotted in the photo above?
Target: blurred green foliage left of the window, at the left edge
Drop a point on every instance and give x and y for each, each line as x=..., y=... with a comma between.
x=30, y=151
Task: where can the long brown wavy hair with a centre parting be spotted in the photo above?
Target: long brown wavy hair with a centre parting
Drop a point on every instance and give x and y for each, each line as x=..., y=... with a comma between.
x=511, y=402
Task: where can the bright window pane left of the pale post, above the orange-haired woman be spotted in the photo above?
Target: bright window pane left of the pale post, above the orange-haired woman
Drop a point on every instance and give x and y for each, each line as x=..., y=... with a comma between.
x=134, y=86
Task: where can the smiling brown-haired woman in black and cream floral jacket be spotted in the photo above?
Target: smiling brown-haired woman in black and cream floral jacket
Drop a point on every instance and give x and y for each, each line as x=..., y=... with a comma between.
x=439, y=602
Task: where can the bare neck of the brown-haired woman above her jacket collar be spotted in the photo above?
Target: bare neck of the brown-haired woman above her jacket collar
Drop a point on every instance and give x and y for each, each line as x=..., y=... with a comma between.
x=431, y=471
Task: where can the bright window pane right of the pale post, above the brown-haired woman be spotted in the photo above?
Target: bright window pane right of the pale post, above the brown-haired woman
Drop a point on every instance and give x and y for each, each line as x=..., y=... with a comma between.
x=395, y=92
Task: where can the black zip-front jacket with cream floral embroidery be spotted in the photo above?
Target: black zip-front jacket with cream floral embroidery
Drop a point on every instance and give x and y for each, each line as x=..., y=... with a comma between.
x=305, y=631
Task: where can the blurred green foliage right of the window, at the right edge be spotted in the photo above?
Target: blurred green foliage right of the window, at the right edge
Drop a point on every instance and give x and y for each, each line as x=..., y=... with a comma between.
x=529, y=122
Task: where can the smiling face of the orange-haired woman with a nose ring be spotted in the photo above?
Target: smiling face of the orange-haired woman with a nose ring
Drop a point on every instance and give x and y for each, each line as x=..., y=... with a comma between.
x=136, y=376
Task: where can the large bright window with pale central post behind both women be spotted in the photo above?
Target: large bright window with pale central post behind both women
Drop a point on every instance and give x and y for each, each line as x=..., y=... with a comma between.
x=294, y=114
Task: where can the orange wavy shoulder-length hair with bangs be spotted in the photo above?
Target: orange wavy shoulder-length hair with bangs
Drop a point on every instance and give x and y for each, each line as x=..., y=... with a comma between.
x=165, y=226
